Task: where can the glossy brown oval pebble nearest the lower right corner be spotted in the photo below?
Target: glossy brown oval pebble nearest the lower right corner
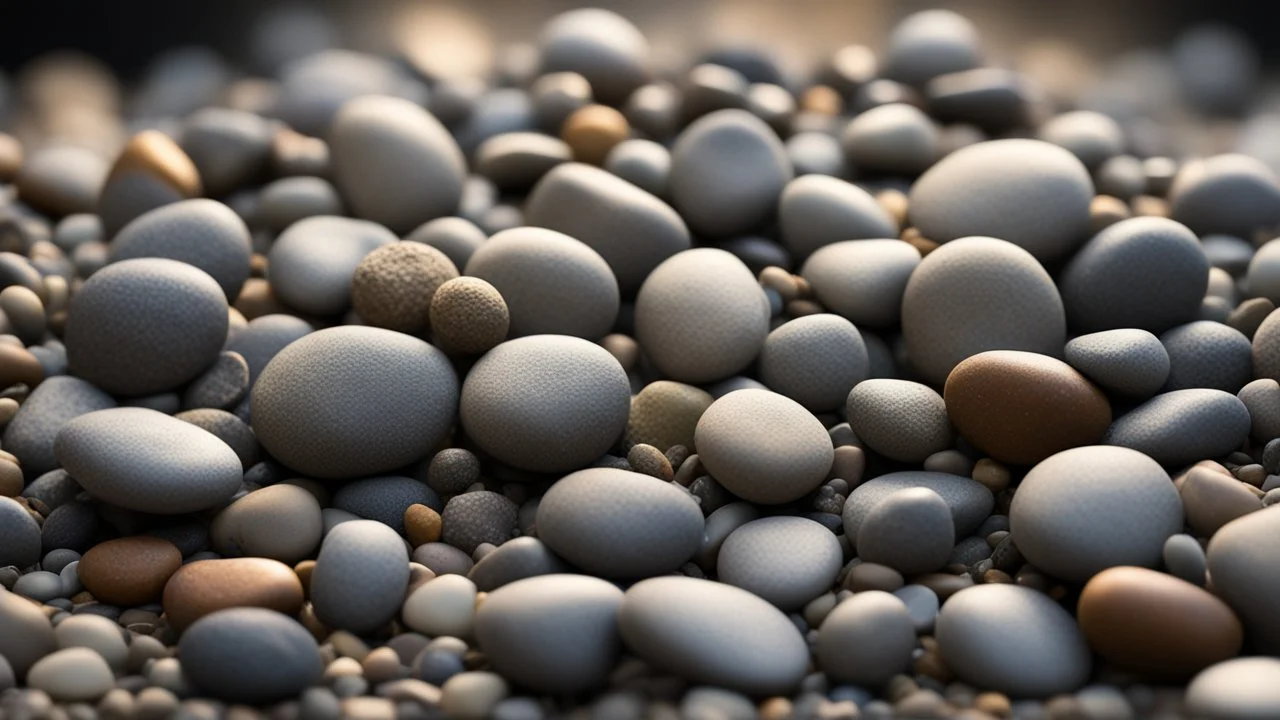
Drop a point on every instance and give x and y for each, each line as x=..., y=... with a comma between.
x=1149, y=622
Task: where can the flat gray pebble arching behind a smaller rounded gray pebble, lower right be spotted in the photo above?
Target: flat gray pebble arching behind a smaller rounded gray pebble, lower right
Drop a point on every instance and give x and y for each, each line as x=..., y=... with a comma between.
x=971, y=502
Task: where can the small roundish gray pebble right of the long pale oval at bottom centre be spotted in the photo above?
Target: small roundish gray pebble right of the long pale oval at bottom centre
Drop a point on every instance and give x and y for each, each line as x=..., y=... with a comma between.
x=866, y=640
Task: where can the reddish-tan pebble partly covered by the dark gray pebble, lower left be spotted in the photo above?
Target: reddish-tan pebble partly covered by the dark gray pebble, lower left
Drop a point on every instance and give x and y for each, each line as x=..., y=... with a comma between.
x=208, y=586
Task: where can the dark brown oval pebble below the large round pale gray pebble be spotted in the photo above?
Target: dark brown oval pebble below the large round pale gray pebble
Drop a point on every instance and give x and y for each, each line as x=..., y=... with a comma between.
x=1022, y=407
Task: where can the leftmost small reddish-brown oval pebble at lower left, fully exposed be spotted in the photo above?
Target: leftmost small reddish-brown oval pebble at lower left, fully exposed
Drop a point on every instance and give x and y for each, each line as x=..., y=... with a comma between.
x=130, y=572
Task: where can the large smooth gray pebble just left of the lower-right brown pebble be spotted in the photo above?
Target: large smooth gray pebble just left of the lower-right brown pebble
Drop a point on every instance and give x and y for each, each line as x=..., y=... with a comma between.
x=1013, y=640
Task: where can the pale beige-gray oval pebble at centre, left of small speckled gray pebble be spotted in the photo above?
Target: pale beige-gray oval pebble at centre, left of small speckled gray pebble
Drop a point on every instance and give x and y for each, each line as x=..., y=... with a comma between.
x=764, y=448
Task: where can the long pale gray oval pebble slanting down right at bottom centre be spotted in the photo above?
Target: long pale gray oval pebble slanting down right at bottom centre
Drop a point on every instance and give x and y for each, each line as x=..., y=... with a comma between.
x=714, y=634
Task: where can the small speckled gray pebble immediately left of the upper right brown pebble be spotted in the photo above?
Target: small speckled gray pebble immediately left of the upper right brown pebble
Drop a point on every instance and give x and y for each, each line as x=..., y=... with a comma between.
x=899, y=420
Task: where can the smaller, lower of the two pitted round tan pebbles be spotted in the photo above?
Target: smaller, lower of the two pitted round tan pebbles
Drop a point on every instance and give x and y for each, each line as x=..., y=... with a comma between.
x=469, y=316
